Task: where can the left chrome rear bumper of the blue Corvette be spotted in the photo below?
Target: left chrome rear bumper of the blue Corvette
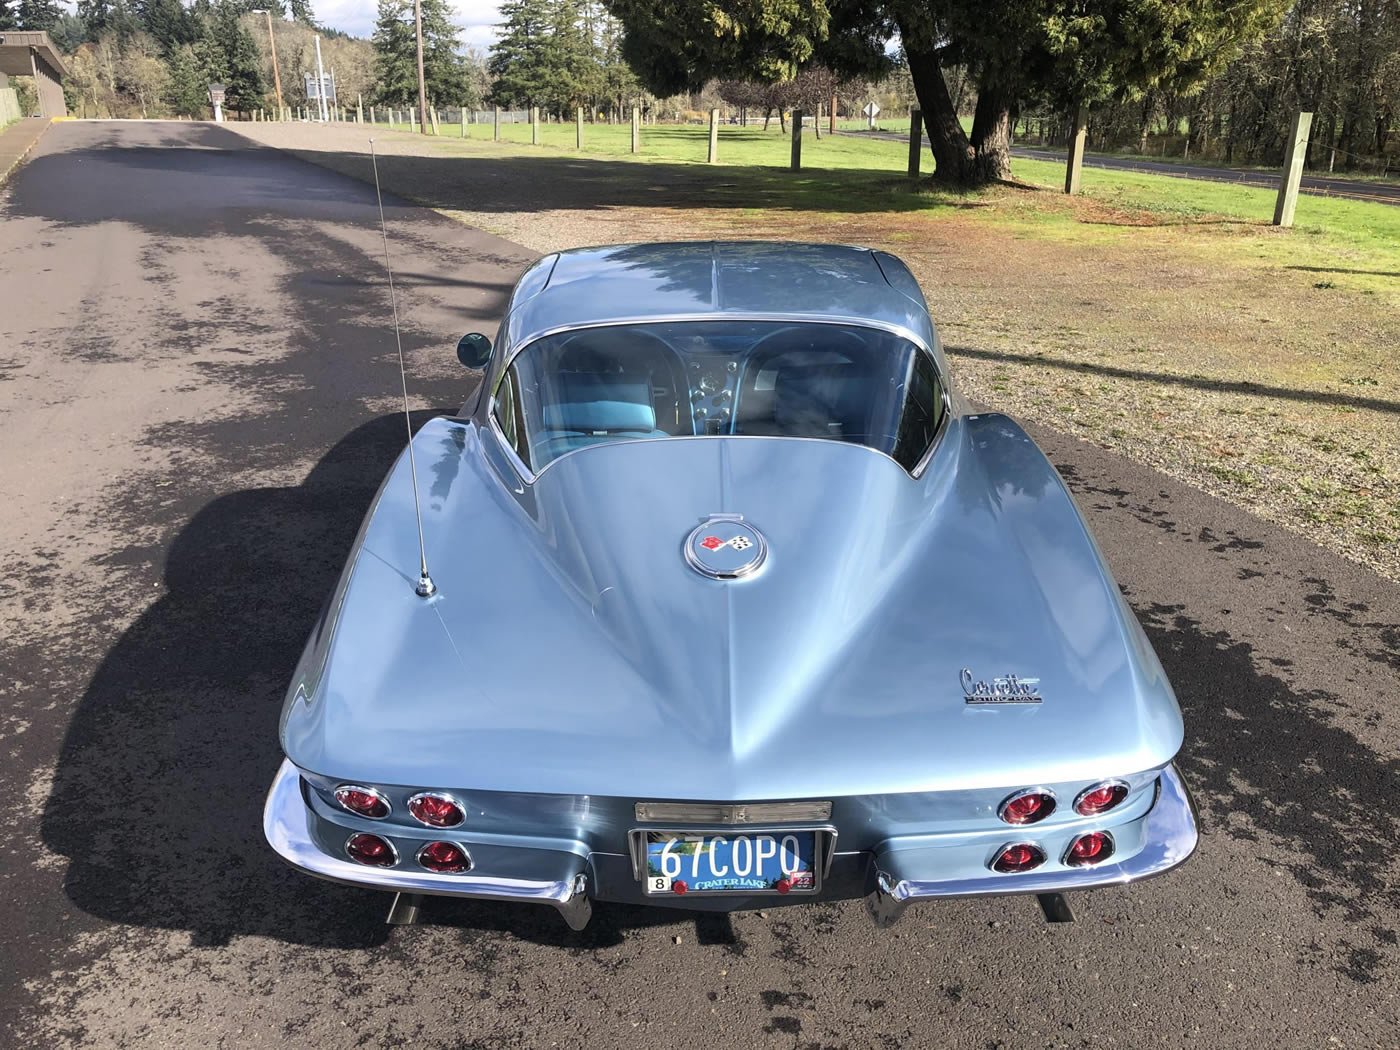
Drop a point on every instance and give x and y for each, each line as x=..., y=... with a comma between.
x=286, y=825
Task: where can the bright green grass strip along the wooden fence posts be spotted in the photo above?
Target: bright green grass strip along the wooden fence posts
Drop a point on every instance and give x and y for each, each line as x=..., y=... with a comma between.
x=1352, y=236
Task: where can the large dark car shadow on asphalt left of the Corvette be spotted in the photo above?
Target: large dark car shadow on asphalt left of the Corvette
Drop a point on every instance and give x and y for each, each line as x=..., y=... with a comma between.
x=160, y=785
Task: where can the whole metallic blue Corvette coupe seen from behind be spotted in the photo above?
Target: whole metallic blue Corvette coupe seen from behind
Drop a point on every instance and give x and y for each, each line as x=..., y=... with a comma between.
x=724, y=598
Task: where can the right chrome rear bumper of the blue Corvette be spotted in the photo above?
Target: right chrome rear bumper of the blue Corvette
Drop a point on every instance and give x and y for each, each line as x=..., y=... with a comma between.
x=1170, y=836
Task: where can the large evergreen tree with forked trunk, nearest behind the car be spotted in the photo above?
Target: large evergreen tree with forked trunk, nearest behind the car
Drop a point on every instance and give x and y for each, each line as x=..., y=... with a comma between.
x=1014, y=50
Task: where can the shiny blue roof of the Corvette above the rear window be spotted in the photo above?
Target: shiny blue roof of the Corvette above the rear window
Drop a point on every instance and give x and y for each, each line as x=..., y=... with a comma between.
x=722, y=279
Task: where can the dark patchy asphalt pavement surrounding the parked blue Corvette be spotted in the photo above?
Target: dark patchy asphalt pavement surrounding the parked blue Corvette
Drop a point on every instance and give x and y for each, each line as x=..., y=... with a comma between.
x=197, y=405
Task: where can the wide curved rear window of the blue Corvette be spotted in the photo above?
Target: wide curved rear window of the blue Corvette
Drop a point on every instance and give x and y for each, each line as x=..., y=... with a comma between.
x=695, y=379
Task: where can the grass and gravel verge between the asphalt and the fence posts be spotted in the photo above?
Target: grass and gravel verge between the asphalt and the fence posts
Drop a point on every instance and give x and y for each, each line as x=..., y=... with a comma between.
x=1154, y=316
